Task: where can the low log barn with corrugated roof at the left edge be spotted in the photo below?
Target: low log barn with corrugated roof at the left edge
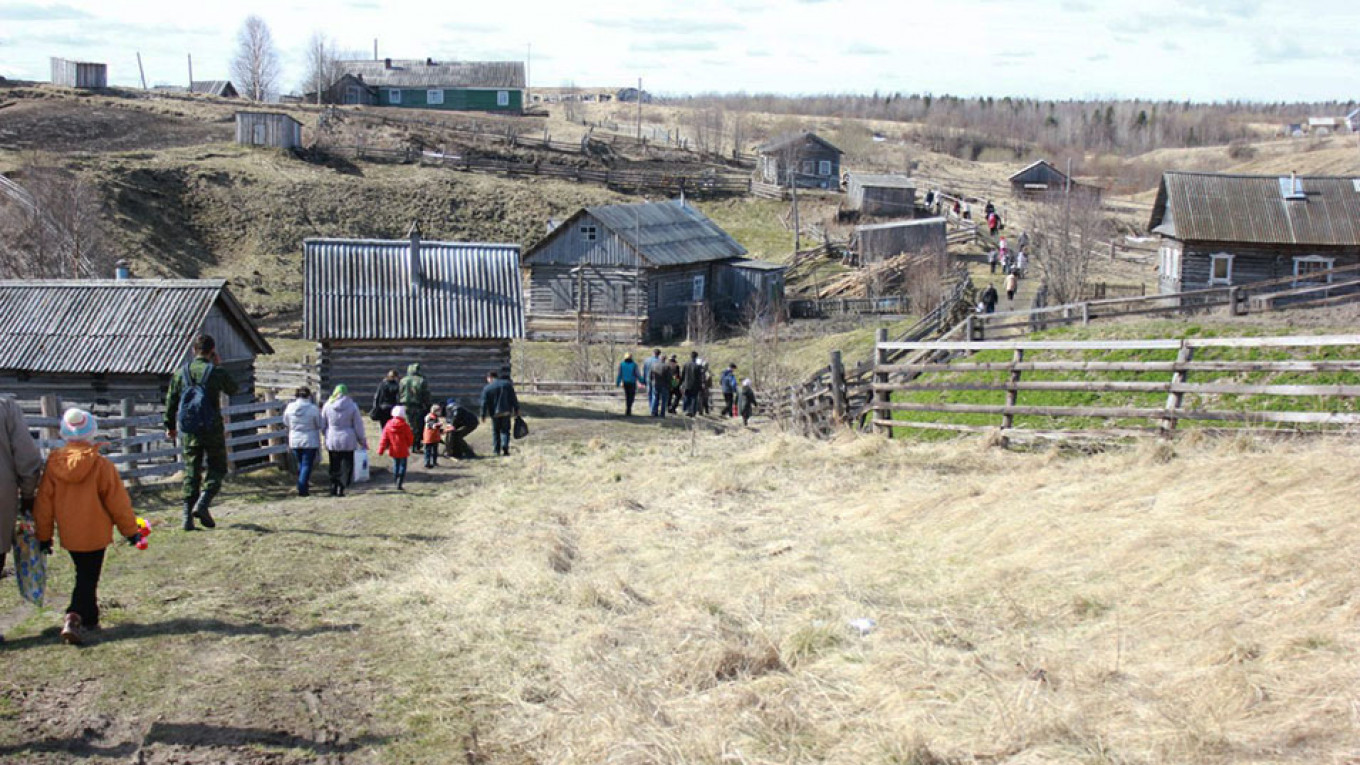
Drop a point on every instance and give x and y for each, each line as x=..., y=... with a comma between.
x=99, y=342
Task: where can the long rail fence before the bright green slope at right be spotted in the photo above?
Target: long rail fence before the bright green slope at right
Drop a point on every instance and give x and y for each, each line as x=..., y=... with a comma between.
x=1075, y=374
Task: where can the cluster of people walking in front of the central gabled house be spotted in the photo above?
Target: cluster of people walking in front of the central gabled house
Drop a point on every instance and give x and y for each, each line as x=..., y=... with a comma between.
x=673, y=387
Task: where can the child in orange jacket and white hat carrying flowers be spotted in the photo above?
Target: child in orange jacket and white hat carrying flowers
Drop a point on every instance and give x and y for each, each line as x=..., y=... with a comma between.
x=82, y=495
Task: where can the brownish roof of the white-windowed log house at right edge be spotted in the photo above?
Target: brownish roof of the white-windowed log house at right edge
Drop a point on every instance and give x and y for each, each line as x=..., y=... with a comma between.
x=1255, y=210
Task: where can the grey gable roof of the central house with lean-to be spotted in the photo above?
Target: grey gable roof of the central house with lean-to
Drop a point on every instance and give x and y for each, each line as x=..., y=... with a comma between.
x=660, y=233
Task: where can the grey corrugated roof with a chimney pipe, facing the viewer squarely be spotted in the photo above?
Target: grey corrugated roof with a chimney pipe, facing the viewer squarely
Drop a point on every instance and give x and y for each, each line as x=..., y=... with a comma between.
x=362, y=291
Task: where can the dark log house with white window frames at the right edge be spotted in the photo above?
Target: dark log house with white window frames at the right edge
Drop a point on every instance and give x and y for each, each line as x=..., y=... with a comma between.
x=1222, y=231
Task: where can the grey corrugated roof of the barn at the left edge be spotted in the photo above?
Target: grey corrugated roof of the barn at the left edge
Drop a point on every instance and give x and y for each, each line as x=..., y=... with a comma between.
x=109, y=327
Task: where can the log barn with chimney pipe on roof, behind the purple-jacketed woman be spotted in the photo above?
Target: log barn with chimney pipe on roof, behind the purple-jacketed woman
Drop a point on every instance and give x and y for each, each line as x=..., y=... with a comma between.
x=375, y=306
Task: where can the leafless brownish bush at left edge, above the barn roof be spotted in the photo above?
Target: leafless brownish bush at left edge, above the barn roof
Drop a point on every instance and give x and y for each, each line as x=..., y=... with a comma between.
x=51, y=227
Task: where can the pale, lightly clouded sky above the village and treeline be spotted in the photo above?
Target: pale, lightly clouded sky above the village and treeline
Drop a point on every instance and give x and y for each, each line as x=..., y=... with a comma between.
x=1197, y=50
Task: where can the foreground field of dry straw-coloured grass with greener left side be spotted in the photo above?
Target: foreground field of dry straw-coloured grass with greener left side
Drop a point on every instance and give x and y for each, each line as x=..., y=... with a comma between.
x=626, y=593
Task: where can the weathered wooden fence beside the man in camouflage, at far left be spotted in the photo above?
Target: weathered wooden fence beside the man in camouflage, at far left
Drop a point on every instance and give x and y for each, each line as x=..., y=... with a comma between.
x=138, y=444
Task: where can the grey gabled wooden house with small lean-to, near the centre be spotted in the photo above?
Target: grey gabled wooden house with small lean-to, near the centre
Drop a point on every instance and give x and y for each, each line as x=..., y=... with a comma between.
x=639, y=272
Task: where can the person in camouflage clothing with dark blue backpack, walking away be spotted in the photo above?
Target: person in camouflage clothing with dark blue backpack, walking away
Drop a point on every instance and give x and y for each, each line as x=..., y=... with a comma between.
x=194, y=414
